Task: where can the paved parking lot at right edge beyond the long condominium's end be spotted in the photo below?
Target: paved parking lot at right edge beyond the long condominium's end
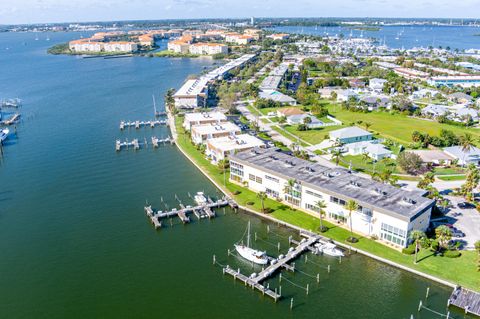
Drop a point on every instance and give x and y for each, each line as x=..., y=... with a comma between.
x=467, y=220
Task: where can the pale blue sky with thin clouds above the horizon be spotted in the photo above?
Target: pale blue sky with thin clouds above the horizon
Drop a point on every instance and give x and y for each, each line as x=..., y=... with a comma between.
x=43, y=11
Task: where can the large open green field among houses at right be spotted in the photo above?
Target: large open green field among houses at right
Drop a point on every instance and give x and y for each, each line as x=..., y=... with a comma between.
x=398, y=127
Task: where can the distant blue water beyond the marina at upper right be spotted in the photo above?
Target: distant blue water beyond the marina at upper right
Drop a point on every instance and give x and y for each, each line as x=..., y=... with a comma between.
x=456, y=37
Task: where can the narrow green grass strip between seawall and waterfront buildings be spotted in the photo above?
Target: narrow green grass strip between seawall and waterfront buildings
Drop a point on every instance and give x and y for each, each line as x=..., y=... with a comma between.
x=460, y=270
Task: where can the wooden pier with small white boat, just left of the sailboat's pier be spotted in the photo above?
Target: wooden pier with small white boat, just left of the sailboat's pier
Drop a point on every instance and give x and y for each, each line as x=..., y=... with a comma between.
x=156, y=216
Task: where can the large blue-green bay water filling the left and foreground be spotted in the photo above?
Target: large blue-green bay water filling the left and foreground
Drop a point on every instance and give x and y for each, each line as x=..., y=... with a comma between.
x=74, y=241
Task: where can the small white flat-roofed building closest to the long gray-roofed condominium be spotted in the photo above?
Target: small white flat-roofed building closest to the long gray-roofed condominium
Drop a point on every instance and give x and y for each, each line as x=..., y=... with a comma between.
x=222, y=147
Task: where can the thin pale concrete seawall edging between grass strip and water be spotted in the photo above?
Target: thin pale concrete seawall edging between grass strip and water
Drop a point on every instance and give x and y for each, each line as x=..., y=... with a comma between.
x=280, y=222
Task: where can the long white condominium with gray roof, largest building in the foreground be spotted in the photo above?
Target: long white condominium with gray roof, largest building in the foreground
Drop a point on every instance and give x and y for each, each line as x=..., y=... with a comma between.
x=384, y=211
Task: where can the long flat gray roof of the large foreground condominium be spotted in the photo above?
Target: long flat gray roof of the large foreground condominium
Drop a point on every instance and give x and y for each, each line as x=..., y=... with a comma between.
x=339, y=182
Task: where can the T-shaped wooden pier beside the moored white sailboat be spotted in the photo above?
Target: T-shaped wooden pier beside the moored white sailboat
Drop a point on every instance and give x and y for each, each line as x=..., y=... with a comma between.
x=255, y=280
